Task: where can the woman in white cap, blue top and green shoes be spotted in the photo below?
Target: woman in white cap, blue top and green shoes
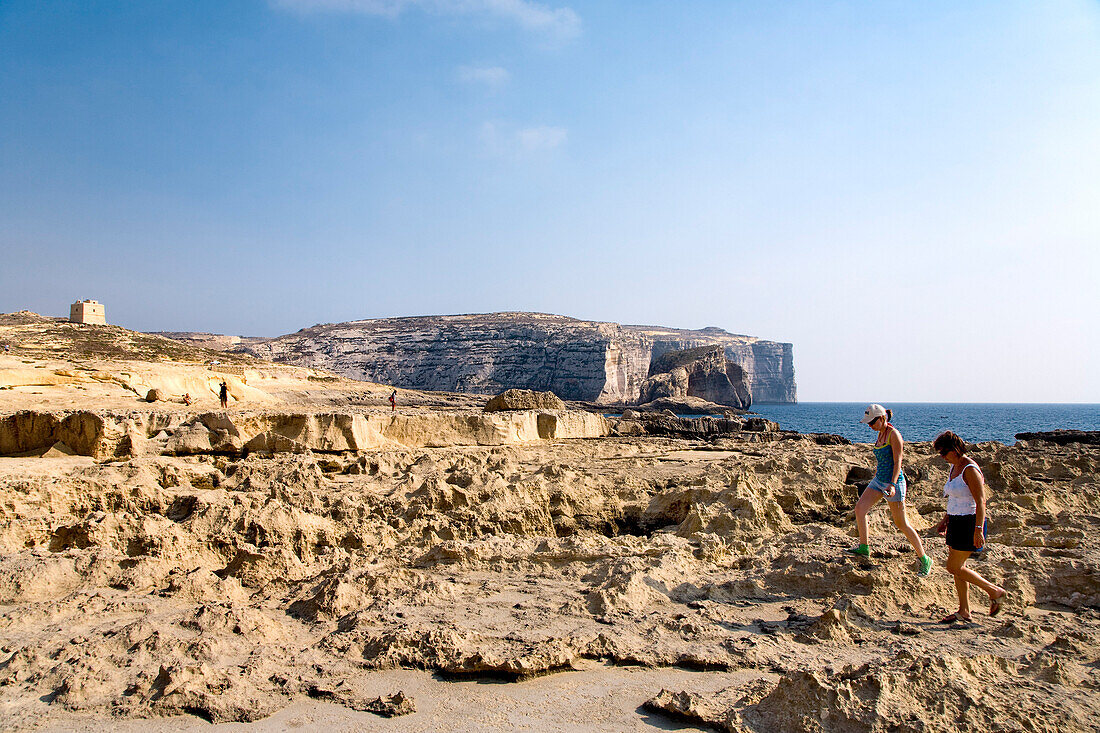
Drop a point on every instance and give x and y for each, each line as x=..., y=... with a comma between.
x=889, y=482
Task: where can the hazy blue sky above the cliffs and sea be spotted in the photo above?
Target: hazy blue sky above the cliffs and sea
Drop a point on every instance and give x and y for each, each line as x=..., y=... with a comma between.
x=910, y=193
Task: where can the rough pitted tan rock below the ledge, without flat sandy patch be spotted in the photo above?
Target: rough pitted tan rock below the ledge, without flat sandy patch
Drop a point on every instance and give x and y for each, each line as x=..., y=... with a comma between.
x=232, y=588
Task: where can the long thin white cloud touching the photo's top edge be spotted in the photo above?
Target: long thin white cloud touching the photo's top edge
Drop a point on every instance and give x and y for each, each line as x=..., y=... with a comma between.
x=532, y=16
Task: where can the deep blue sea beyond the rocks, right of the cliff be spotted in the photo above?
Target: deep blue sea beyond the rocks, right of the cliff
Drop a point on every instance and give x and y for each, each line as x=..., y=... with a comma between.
x=925, y=421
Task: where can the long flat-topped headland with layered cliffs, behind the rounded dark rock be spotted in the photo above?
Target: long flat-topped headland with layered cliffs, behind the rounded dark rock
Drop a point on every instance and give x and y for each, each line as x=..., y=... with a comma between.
x=491, y=353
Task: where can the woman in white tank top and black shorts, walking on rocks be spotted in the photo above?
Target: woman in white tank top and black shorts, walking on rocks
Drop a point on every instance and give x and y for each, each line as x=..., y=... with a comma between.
x=964, y=526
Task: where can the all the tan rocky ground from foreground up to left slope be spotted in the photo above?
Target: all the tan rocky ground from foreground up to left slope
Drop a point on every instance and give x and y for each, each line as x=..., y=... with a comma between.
x=507, y=579
